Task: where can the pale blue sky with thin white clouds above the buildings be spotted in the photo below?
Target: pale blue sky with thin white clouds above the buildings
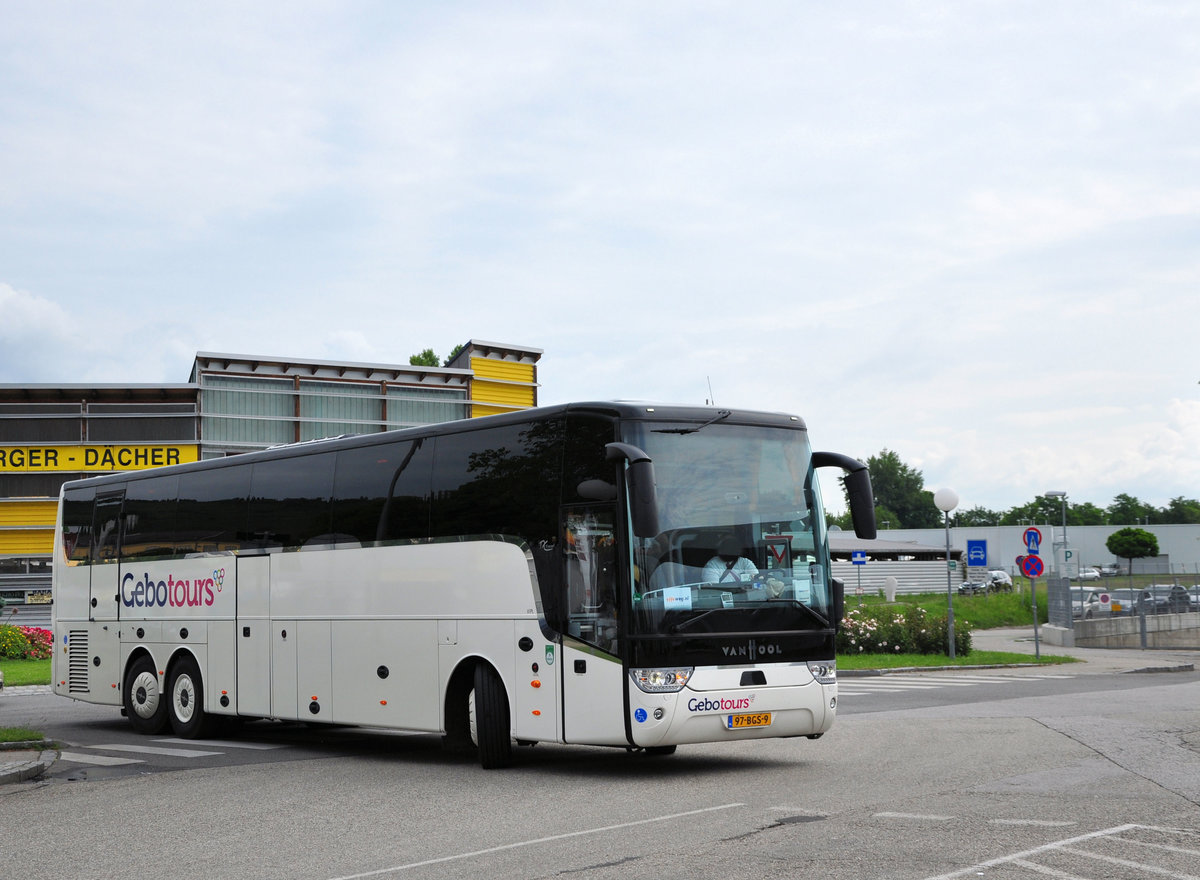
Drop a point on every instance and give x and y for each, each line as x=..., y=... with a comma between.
x=965, y=232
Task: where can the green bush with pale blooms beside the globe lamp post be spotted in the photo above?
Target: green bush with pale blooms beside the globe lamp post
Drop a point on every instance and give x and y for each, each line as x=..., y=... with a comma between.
x=891, y=630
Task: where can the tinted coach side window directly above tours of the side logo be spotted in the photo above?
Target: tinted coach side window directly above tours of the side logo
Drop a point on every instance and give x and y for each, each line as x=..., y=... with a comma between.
x=212, y=513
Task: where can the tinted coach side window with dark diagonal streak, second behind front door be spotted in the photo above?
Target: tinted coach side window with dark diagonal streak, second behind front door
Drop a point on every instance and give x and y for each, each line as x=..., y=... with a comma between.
x=382, y=493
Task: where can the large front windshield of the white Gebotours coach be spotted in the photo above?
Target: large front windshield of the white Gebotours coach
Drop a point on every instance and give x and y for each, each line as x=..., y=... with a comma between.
x=742, y=546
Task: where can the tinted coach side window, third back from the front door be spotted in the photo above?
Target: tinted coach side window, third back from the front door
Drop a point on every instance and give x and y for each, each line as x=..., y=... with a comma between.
x=290, y=501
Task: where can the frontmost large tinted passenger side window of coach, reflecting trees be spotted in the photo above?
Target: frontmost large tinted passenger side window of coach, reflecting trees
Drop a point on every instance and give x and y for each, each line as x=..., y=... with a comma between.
x=501, y=481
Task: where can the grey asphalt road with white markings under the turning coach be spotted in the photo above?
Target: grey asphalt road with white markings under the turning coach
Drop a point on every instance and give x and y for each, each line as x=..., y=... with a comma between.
x=1004, y=775
